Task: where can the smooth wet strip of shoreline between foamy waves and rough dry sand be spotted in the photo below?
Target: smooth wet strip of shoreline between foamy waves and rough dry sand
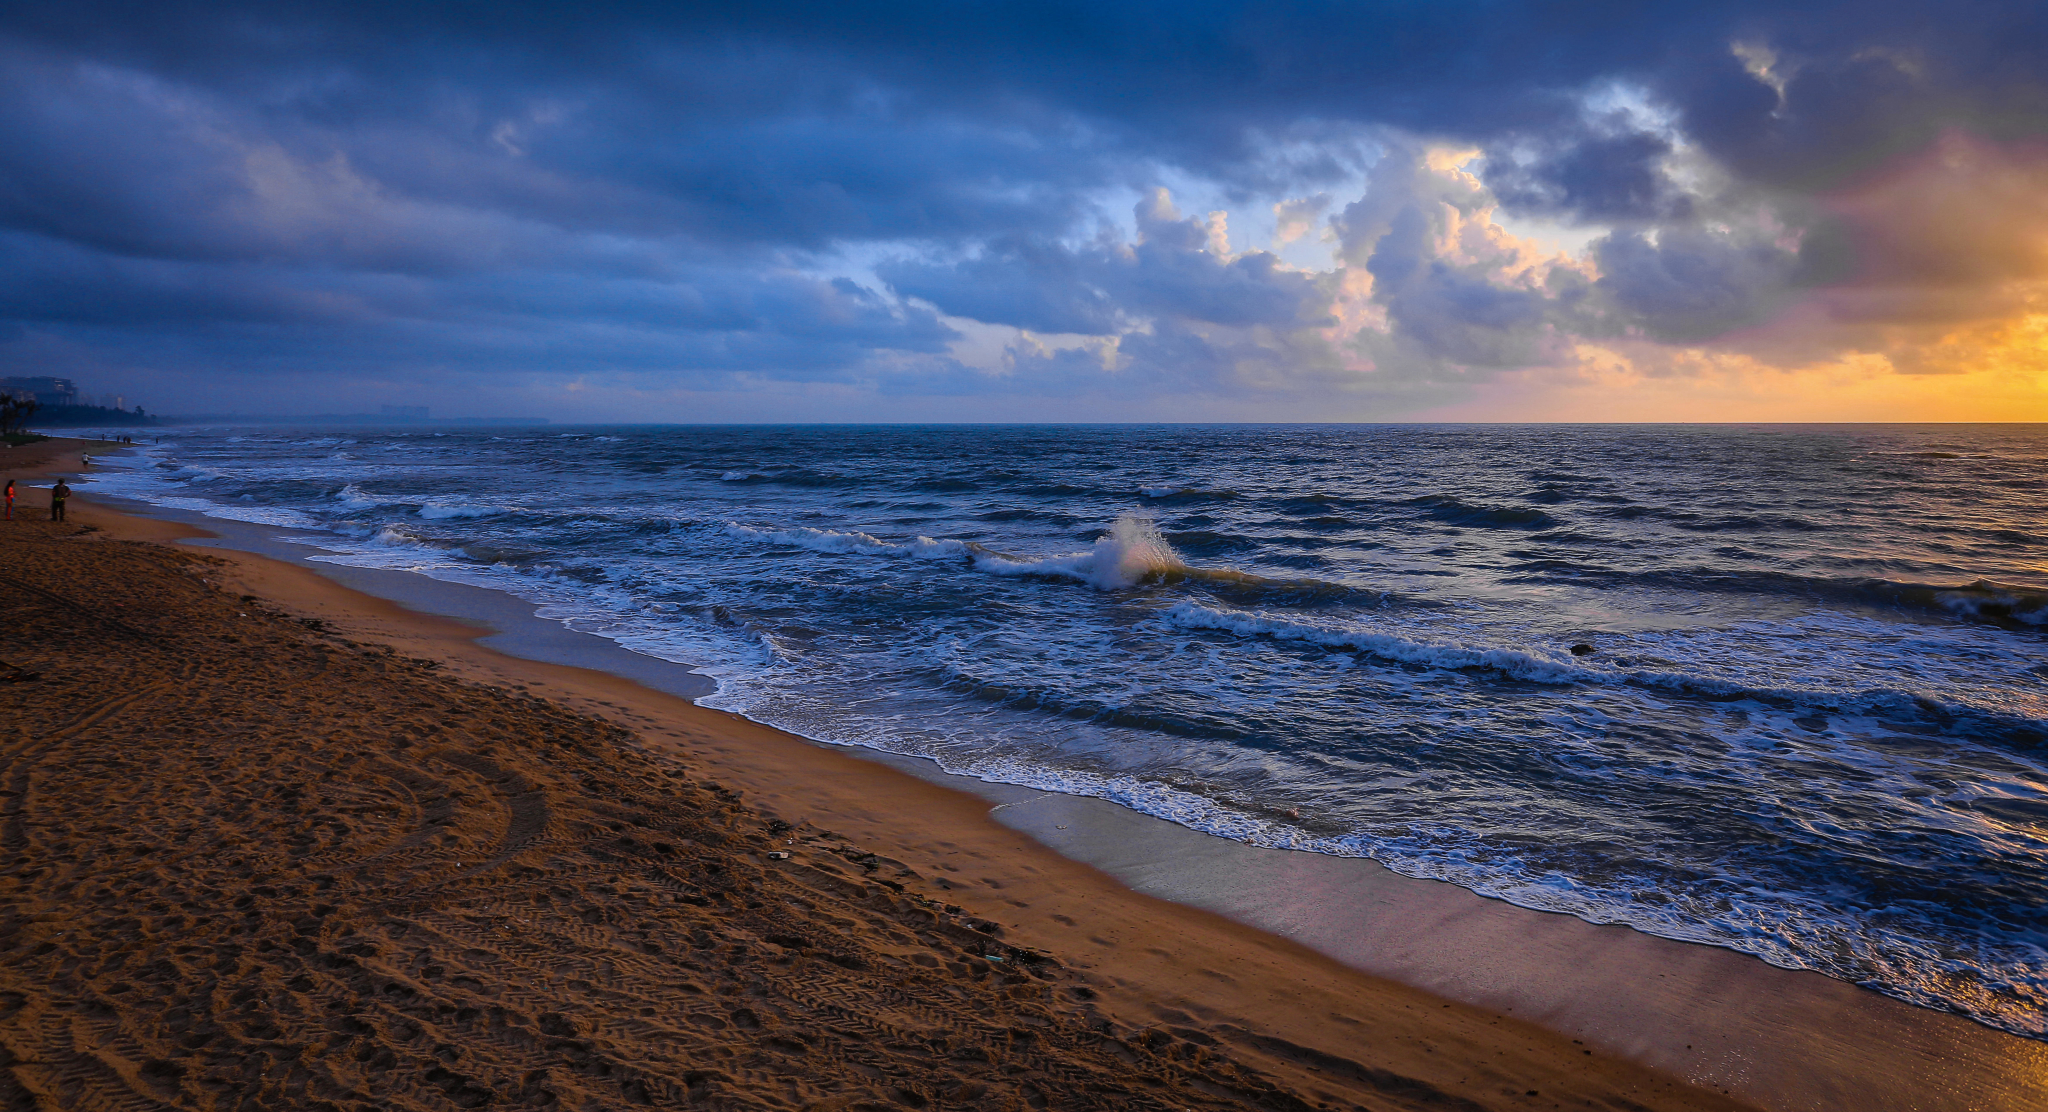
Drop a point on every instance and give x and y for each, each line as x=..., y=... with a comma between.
x=1805, y=1041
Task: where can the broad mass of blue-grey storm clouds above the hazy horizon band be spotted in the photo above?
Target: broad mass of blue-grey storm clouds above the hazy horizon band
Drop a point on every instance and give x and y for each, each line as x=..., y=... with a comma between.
x=673, y=185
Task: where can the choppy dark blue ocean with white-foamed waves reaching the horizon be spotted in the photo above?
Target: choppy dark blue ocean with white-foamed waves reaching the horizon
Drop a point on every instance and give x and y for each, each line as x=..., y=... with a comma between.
x=1779, y=689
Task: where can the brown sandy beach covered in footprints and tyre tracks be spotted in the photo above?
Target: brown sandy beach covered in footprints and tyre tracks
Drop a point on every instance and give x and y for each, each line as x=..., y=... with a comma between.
x=282, y=845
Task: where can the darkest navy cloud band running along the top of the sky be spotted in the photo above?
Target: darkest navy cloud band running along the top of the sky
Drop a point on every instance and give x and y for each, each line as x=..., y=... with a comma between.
x=1467, y=69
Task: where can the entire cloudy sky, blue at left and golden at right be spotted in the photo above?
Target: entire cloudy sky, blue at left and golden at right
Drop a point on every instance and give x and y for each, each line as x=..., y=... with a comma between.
x=996, y=212
